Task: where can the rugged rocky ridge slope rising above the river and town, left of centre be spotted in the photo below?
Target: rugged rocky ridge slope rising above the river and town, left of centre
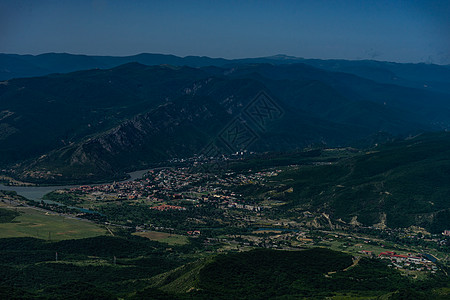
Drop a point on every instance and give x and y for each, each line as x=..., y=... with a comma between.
x=178, y=128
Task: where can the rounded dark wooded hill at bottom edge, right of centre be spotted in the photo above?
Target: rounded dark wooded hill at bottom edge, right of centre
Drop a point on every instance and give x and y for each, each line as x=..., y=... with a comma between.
x=268, y=274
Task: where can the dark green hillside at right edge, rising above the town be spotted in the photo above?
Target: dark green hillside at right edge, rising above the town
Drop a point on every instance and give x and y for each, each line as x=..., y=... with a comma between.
x=398, y=184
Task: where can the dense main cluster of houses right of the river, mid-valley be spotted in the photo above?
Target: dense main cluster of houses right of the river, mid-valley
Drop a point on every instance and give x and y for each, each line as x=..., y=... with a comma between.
x=160, y=187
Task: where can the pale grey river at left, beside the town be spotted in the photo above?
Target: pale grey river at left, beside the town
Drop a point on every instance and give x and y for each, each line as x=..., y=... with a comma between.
x=37, y=192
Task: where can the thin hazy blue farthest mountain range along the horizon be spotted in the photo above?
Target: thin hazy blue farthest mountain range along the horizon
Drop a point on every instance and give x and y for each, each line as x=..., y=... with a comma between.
x=428, y=76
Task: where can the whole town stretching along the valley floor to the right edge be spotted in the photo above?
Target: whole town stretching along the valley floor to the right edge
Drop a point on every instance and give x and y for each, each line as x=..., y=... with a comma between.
x=189, y=202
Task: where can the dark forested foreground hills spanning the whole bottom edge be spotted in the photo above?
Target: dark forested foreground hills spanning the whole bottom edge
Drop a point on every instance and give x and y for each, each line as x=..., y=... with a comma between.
x=136, y=268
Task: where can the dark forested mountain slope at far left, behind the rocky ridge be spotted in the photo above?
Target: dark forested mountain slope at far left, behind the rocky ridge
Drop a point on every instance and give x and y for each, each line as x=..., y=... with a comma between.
x=41, y=114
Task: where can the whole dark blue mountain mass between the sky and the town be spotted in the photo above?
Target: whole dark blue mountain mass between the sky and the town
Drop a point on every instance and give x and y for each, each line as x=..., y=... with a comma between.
x=119, y=115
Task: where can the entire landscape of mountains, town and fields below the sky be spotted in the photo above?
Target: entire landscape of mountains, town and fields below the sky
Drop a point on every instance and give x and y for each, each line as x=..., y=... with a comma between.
x=262, y=178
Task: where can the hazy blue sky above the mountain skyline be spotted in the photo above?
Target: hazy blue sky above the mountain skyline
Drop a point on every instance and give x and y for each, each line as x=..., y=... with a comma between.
x=403, y=31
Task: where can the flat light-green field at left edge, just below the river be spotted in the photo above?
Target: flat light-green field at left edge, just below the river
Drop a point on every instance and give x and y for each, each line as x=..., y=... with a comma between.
x=39, y=224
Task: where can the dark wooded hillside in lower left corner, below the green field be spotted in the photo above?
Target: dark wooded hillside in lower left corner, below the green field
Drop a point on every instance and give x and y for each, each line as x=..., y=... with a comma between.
x=85, y=268
